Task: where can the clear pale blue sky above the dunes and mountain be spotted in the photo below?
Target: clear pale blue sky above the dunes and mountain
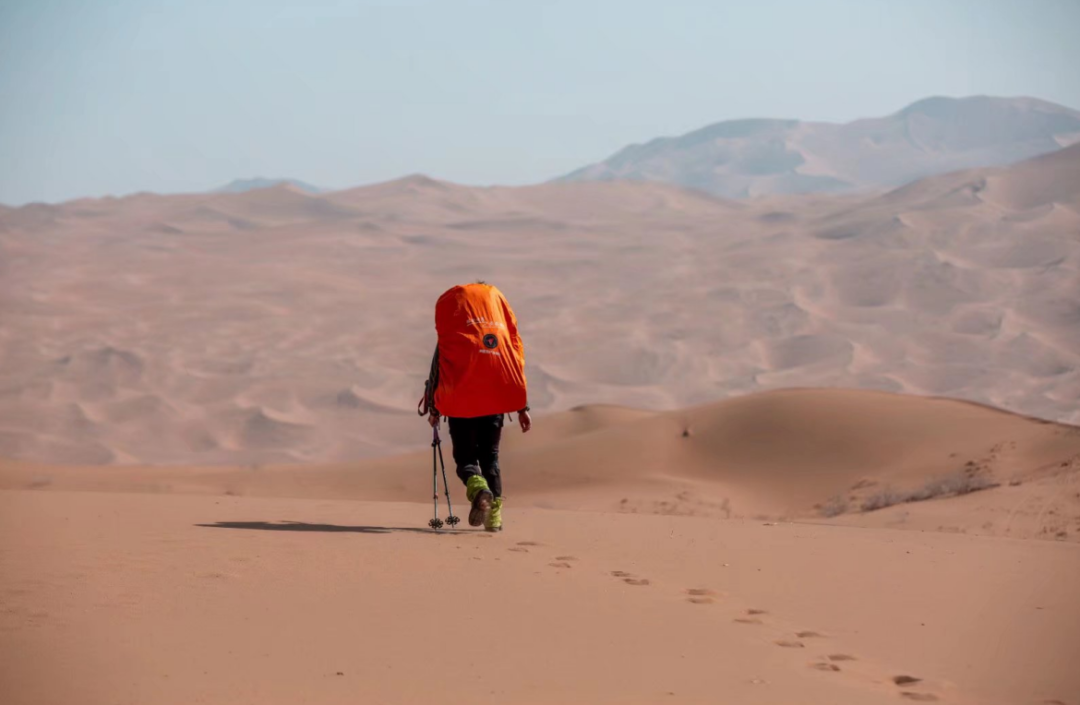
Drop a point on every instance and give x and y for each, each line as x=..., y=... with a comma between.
x=116, y=97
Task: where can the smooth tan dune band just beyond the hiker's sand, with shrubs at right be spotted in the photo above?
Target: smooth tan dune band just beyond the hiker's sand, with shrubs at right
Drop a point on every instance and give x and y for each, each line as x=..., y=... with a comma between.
x=807, y=455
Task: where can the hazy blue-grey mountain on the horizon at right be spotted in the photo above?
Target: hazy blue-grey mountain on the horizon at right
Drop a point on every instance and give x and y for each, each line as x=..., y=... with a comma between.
x=747, y=158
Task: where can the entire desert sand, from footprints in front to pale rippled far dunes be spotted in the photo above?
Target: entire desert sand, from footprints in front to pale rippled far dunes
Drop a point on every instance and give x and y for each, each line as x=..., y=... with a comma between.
x=802, y=450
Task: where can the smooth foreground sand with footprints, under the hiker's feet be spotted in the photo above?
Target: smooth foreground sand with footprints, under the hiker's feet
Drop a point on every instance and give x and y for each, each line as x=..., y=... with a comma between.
x=126, y=599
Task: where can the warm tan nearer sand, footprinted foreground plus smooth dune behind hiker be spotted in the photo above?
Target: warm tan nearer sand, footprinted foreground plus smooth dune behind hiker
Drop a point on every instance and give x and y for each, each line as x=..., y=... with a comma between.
x=649, y=558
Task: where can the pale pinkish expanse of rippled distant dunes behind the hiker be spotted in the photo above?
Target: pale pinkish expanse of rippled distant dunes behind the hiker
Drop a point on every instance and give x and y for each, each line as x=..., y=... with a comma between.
x=275, y=326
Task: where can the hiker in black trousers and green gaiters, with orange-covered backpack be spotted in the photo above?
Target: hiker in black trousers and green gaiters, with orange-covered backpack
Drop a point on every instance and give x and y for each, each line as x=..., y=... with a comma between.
x=478, y=378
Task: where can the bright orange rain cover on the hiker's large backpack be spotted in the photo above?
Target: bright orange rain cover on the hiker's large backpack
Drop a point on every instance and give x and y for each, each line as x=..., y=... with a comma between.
x=481, y=356
